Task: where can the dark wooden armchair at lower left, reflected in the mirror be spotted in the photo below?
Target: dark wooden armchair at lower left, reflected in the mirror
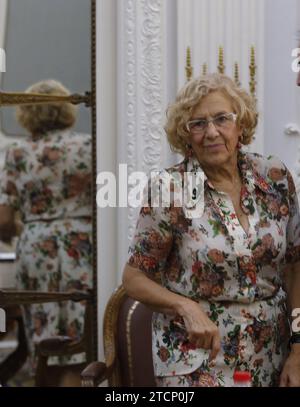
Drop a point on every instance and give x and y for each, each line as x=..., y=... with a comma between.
x=46, y=375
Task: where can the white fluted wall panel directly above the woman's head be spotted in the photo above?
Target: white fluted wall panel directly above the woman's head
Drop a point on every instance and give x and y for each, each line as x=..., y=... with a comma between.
x=236, y=26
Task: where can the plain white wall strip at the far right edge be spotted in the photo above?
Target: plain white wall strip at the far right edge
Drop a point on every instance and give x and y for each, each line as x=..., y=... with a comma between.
x=281, y=95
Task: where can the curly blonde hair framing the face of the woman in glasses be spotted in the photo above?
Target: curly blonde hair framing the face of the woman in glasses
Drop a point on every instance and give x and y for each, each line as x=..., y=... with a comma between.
x=180, y=112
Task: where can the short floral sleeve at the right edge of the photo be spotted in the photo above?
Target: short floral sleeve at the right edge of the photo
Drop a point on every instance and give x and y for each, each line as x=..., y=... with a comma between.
x=293, y=226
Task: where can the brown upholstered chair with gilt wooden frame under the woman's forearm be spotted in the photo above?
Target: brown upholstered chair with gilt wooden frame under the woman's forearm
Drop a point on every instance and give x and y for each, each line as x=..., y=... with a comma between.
x=127, y=345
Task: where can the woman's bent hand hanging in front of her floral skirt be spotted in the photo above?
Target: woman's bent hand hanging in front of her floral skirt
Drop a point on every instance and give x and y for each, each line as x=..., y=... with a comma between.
x=201, y=330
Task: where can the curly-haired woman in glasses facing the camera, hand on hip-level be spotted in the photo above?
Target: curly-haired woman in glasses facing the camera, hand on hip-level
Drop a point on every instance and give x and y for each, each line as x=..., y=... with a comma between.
x=221, y=305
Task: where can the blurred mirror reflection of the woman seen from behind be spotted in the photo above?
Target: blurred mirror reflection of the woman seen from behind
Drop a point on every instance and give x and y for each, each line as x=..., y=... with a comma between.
x=47, y=177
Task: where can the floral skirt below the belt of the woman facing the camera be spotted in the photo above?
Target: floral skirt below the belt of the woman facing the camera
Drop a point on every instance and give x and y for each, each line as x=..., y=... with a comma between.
x=253, y=338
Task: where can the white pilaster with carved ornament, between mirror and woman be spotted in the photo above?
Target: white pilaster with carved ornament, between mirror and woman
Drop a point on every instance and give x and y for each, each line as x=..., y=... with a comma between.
x=141, y=94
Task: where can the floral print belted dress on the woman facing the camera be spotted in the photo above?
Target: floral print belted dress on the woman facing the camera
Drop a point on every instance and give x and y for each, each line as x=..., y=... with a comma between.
x=236, y=277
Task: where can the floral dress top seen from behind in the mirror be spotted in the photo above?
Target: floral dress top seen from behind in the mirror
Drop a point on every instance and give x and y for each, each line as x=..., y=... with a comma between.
x=49, y=178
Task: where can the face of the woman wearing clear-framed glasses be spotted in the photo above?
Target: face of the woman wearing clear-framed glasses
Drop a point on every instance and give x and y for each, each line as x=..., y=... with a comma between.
x=216, y=145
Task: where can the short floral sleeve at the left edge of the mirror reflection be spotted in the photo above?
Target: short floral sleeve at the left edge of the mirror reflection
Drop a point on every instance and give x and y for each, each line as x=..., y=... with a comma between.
x=8, y=185
